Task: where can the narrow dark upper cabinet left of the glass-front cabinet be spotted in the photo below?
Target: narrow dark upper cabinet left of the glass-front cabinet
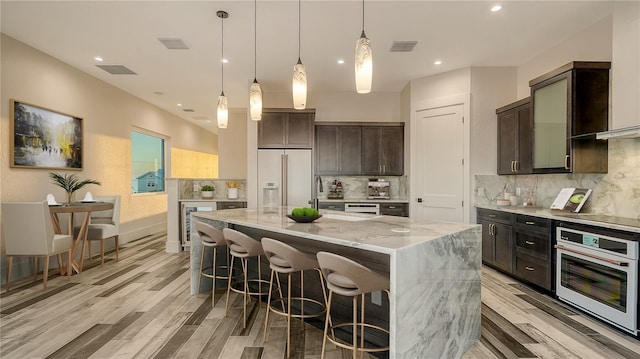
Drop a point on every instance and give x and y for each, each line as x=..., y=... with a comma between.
x=515, y=138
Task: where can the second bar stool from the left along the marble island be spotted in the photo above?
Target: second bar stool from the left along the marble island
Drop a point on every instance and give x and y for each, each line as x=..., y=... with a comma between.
x=243, y=247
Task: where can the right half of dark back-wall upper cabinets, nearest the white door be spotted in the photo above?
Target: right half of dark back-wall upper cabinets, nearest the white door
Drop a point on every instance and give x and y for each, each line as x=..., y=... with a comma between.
x=383, y=150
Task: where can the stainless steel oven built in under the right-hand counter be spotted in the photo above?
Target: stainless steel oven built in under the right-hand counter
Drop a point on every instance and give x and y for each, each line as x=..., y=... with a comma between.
x=599, y=274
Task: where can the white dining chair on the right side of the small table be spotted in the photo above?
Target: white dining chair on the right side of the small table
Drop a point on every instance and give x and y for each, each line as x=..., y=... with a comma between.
x=104, y=225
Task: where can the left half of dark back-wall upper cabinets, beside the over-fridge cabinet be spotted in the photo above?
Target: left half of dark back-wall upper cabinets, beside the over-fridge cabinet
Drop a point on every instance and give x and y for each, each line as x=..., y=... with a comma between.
x=338, y=150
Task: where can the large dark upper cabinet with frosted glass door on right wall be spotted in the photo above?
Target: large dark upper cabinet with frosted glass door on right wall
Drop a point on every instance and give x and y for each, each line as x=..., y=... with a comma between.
x=570, y=105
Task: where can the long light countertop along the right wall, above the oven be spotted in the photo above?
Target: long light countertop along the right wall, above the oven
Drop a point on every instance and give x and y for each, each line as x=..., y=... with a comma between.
x=592, y=219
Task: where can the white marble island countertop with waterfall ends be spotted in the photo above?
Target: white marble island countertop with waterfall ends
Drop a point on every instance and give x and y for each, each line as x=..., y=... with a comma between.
x=434, y=269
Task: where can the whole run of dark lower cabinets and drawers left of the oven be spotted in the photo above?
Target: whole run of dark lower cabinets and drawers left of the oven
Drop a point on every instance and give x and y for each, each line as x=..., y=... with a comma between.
x=518, y=245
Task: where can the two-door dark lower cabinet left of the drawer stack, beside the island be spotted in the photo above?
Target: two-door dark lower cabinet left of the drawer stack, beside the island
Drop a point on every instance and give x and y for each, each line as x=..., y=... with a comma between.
x=497, y=238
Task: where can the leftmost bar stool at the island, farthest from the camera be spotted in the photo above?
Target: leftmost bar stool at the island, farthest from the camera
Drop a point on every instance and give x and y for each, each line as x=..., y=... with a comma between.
x=211, y=237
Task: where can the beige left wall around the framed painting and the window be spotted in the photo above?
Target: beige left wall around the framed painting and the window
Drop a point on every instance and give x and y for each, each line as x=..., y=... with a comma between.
x=108, y=113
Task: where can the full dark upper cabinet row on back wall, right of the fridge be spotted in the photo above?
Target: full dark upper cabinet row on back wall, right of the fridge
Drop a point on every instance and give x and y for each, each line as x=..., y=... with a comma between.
x=359, y=149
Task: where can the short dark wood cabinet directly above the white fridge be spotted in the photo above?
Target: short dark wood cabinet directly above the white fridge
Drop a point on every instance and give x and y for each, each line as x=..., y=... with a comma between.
x=286, y=129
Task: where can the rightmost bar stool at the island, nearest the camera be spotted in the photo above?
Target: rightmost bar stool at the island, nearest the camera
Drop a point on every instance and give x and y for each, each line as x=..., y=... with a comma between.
x=351, y=279
